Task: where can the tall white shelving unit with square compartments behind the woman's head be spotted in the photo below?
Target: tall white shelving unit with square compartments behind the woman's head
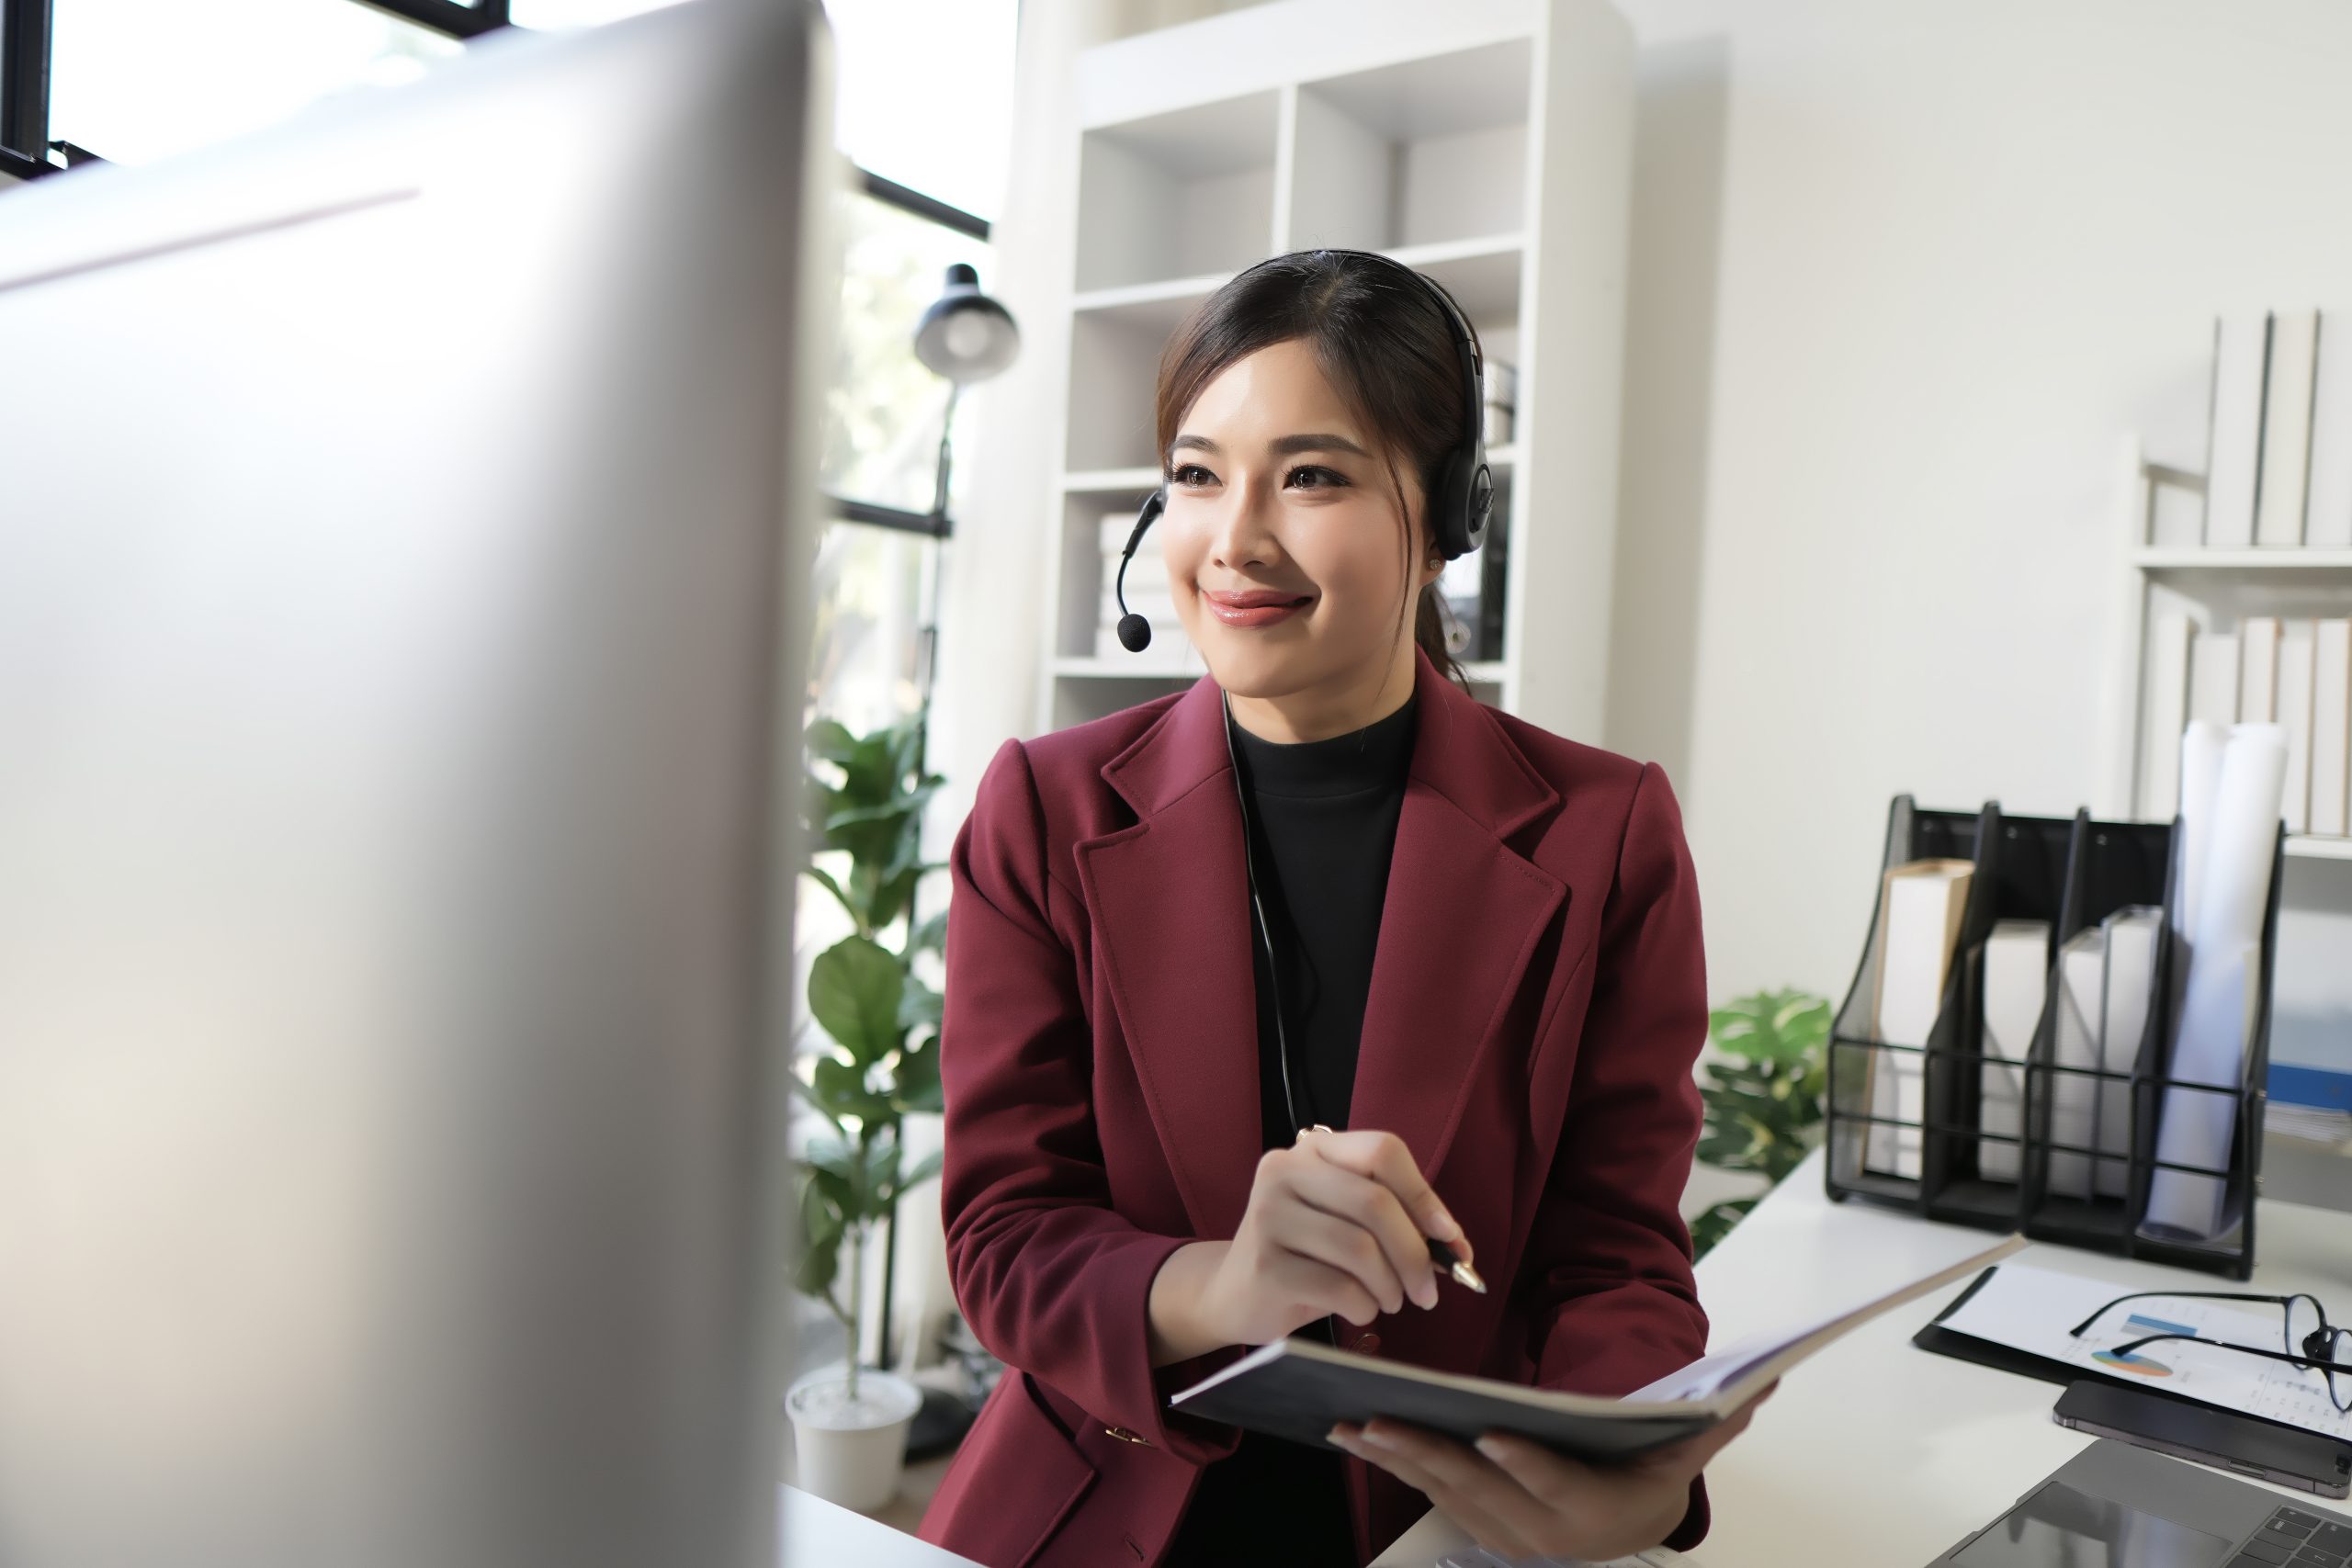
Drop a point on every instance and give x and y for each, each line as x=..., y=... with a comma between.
x=1483, y=142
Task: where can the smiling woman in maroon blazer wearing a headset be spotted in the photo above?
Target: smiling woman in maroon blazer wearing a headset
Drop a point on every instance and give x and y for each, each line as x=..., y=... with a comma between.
x=1481, y=946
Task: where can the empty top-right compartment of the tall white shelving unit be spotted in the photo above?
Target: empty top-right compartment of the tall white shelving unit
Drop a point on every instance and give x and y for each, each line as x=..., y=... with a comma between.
x=1419, y=152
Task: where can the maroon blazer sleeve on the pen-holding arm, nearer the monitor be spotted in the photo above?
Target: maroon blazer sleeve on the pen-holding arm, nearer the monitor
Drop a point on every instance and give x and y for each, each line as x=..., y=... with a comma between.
x=1045, y=1271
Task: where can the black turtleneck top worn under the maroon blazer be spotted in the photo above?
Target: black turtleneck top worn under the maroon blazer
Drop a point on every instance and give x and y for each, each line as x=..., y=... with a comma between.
x=1323, y=824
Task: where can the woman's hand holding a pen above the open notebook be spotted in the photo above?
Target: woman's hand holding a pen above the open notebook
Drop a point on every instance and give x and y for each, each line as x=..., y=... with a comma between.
x=1335, y=1224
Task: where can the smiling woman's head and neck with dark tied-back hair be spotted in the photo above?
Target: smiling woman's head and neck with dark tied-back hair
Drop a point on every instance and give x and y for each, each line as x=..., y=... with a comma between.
x=1309, y=413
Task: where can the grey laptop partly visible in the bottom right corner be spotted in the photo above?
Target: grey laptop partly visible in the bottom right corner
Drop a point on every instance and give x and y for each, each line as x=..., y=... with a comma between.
x=2127, y=1508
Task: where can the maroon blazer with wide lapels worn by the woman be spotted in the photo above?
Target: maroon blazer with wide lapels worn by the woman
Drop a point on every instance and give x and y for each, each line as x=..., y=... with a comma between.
x=1537, y=1005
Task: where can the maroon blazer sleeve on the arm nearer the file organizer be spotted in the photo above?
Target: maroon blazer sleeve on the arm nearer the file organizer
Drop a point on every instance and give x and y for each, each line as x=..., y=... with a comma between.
x=1610, y=1254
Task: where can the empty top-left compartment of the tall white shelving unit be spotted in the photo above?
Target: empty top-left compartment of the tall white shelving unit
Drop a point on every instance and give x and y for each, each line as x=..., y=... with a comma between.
x=1177, y=194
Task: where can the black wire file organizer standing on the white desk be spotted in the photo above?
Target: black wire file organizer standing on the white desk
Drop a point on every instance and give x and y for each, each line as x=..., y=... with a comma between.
x=2069, y=873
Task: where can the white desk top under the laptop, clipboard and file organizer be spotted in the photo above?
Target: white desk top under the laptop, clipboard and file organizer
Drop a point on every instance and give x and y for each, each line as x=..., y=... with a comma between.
x=1876, y=1454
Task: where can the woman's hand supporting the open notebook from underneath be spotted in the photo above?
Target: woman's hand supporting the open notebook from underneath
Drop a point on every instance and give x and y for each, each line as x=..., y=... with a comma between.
x=1521, y=1499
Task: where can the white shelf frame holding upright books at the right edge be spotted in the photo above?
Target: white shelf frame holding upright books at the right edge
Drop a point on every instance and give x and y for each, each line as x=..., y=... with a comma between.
x=2214, y=589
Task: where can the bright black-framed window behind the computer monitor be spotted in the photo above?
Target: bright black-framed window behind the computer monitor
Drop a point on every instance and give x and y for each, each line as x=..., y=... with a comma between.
x=923, y=93
